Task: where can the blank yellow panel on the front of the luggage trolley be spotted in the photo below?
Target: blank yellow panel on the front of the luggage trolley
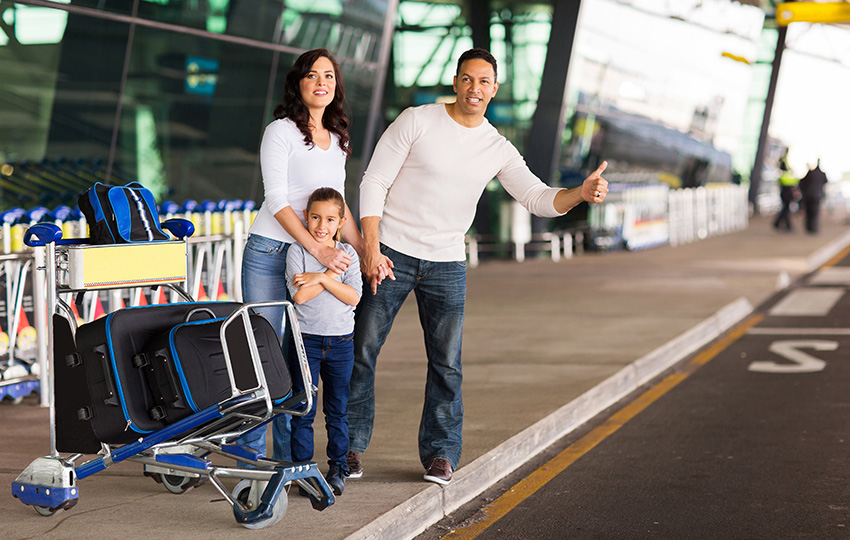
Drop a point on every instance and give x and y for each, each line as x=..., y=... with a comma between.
x=126, y=265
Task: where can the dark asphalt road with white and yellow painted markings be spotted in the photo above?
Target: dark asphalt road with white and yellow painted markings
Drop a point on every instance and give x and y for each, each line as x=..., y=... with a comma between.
x=749, y=439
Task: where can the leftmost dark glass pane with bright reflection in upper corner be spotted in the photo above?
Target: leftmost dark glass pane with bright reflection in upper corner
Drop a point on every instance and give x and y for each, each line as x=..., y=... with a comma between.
x=58, y=96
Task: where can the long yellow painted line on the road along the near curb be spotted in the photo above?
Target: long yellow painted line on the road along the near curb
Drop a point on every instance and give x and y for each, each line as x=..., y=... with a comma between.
x=526, y=487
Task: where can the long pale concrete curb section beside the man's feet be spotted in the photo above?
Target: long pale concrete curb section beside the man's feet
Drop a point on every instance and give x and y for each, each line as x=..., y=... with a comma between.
x=429, y=506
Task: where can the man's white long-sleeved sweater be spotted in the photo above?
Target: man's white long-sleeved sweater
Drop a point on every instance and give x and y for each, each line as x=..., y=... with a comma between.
x=427, y=174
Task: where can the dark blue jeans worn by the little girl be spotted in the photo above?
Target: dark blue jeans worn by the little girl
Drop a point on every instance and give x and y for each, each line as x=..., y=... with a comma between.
x=330, y=358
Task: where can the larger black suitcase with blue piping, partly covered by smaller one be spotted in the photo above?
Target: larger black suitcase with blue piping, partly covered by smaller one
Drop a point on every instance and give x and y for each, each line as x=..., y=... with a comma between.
x=120, y=399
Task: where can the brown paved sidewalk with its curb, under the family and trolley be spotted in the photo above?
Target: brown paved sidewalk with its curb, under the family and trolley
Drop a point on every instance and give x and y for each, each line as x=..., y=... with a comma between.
x=546, y=346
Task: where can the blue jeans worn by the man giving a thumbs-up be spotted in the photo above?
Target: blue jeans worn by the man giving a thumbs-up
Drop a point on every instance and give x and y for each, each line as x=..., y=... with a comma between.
x=440, y=289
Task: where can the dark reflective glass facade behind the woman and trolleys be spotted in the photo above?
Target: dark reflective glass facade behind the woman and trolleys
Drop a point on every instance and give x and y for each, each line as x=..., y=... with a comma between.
x=173, y=93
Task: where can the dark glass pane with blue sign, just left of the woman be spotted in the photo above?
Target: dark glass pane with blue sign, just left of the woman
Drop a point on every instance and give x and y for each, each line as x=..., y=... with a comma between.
x=193, y=114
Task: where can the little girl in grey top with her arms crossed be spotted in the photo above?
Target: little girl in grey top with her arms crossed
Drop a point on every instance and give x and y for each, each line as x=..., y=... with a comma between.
x=324, y=303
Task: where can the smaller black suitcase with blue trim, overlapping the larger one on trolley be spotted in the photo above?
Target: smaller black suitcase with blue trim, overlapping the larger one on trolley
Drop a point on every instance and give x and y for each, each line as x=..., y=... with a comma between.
x=186, y=371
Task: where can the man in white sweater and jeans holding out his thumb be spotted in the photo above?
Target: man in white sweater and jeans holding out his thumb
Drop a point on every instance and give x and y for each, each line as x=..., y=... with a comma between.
x=417, y=200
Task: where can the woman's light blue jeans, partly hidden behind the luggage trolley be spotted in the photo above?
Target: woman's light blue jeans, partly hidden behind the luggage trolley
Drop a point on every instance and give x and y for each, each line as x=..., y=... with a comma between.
x=263, y=279
